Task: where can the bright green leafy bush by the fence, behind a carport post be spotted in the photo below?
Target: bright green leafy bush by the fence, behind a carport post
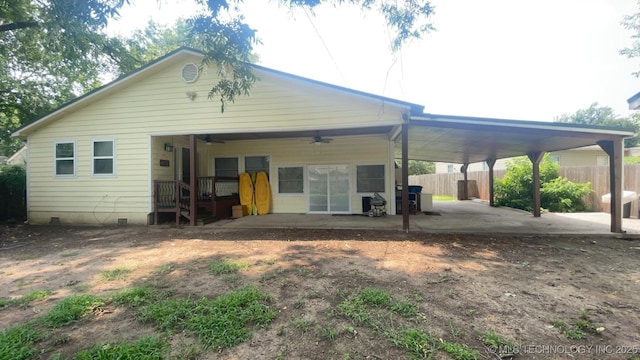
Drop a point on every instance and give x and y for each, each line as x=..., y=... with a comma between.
x=558, y=194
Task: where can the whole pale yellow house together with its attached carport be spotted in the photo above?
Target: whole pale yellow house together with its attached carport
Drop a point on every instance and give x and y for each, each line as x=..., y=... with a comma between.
x=152, y=144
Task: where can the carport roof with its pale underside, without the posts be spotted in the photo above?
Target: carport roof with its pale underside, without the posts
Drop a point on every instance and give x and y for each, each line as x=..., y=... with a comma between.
x=457, y=139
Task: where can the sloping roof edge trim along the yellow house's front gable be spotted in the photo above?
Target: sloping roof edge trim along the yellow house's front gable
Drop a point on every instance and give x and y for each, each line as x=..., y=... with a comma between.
x=157, y=64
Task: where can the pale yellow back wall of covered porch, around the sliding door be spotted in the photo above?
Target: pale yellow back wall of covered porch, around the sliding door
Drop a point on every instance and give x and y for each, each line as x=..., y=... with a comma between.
x=349, y=150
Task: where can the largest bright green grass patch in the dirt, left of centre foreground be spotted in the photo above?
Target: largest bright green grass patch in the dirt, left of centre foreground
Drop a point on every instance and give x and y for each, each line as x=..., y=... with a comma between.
x=221, y=322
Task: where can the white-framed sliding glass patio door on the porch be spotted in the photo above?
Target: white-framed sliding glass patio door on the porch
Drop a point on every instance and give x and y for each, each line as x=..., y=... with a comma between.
x=329, y=189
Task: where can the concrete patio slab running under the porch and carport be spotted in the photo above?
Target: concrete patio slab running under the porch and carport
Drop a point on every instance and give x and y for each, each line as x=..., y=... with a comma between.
x=451, y=217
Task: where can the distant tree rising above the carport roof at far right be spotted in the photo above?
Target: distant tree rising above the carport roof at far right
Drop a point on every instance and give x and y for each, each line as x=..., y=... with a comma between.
x=596, y=115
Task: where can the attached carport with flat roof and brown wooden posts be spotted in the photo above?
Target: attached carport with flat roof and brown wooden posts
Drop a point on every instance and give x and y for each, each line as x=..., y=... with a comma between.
x=465, y=140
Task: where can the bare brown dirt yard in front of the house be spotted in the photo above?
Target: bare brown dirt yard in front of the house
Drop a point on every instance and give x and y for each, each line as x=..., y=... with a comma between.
x=464, y=287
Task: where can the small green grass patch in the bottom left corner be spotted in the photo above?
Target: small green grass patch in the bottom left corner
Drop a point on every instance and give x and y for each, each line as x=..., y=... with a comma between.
x=18, y=342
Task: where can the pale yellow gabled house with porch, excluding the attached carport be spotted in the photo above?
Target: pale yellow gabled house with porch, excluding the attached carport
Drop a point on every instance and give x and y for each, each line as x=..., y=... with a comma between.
x=103, y=158
